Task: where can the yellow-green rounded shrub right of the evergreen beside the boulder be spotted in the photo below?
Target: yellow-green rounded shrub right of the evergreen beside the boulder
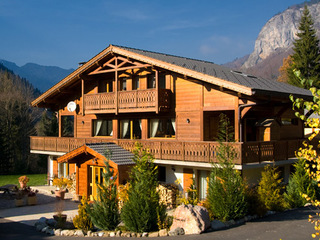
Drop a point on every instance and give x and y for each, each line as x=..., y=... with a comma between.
x=270, y=189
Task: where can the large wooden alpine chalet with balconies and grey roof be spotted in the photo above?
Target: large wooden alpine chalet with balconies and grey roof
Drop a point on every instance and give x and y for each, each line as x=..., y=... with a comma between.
x=171, y=105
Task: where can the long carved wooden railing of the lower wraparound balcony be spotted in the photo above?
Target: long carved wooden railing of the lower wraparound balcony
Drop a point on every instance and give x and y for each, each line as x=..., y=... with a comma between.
x=250, y=152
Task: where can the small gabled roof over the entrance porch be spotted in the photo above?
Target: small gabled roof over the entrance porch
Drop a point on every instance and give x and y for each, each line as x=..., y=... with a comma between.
x=116, y=154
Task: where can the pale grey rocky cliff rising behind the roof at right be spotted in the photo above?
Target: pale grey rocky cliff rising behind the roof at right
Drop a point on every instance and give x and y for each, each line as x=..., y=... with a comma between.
x=275, y=40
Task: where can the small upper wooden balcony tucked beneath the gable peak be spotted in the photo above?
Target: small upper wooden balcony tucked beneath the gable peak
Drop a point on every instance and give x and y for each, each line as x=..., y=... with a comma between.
x=128, y=101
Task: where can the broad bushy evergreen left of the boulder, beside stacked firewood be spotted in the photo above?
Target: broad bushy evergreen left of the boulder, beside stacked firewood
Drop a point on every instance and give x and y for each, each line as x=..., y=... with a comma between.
x=142, y=211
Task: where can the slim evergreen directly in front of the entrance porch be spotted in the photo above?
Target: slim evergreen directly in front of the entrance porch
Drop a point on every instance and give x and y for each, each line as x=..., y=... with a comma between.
x=104, y=212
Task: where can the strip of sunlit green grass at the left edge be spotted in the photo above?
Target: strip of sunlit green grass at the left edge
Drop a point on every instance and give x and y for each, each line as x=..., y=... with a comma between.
x=35, y=179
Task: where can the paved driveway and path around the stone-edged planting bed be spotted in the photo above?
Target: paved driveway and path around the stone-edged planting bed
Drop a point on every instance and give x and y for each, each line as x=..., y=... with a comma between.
x=15, y=223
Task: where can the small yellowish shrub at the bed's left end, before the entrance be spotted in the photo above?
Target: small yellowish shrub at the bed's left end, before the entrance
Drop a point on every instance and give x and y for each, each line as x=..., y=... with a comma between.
x=83, y=220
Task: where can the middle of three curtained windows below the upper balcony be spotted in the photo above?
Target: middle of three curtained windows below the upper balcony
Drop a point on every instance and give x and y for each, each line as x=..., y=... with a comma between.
x=130, y=129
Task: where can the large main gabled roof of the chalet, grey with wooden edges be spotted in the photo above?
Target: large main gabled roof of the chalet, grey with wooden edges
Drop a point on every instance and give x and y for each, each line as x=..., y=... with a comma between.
x=197, y=69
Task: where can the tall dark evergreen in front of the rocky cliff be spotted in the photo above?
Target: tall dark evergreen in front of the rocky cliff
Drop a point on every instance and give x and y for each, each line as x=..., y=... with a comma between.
x=305, y=58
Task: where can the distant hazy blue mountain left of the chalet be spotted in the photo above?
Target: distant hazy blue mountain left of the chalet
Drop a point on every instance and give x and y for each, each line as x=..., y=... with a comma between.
x=41, y=77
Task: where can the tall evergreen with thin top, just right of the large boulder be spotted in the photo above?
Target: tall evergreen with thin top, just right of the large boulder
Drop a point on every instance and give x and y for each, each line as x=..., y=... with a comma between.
x=227, y=190
